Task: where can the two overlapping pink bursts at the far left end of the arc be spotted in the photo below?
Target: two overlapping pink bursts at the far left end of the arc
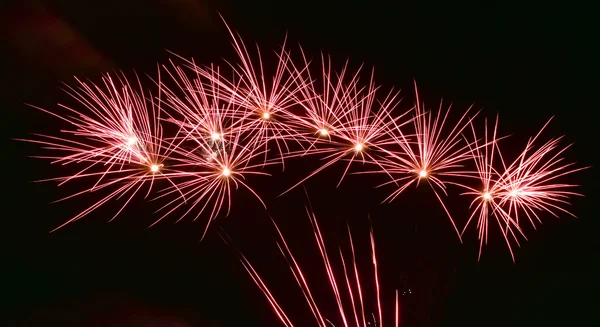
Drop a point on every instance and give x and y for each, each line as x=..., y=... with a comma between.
x=116, y=136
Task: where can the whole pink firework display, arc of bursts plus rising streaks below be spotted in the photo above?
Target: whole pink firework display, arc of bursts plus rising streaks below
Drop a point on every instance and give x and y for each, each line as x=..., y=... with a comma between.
x=195, y=140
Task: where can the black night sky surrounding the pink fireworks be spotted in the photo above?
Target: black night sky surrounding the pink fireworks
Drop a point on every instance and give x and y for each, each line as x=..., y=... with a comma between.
x=527, y=63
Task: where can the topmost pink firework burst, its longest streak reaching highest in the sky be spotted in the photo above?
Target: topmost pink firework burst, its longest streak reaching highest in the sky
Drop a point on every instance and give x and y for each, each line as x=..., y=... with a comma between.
x=266, y=99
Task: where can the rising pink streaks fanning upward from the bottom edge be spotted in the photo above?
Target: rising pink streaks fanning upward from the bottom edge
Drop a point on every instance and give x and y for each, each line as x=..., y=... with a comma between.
x=346, y=285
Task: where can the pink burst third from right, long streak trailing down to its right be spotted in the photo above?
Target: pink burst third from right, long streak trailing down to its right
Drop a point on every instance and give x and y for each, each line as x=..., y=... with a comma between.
x=434, y=153
